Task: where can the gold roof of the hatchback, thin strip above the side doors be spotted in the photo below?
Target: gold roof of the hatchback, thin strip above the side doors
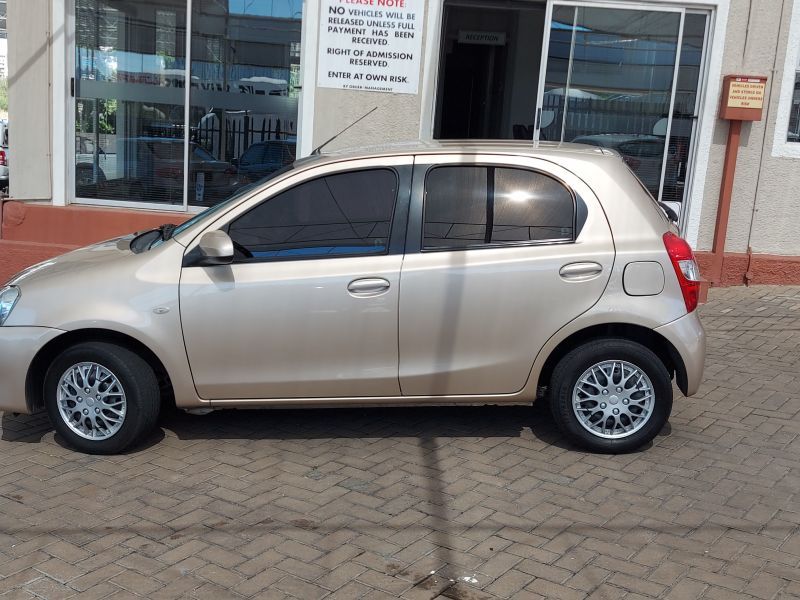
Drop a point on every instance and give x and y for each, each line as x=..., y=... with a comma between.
x=551, y=150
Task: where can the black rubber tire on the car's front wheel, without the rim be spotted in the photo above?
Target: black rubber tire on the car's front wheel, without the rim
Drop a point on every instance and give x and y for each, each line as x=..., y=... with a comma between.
x=139, y=382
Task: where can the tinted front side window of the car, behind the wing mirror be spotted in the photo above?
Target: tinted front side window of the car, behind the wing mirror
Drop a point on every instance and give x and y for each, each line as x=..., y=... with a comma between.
x=339, y=215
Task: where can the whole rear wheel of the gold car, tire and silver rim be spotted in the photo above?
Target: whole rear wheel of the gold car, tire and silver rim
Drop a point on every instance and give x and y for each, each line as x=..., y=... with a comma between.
x=611, y=395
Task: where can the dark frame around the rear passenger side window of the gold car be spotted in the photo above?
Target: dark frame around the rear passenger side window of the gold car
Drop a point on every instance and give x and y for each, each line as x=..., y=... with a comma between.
x=500, y=244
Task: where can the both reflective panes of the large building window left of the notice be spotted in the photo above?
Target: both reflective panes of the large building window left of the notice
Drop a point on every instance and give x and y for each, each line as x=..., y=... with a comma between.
x=130, y=85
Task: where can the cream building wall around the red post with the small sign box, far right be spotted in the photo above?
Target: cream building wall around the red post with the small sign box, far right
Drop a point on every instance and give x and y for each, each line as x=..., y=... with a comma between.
x=765, y=197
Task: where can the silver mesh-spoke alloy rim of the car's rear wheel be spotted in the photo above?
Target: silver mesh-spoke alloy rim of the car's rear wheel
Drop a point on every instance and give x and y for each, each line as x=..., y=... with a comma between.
x=613, y=399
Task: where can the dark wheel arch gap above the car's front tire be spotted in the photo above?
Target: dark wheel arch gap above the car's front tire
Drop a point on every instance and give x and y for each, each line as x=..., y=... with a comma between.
x=34, y=380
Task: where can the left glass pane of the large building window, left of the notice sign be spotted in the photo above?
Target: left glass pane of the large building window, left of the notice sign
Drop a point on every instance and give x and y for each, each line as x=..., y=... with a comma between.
x=129, y=88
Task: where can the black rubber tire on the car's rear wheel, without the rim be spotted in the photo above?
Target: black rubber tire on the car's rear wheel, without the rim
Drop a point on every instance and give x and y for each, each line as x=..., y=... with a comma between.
x=572, y=366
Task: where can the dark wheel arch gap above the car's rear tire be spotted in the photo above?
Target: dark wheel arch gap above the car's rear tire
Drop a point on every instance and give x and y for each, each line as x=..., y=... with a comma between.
x=661, y=346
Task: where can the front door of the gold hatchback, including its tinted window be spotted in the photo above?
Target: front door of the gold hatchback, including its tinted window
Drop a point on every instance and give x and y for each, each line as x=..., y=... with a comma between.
x=308, y=309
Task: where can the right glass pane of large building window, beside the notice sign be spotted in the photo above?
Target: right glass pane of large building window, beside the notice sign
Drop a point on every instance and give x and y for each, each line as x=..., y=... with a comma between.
x=245, y=67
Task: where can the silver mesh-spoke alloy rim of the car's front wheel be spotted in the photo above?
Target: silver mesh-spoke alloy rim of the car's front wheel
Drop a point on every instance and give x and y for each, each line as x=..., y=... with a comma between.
x=91, y=401
